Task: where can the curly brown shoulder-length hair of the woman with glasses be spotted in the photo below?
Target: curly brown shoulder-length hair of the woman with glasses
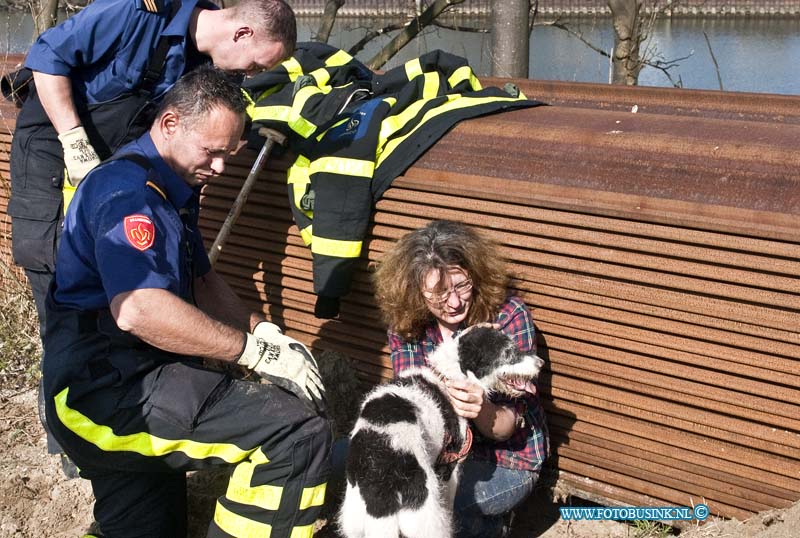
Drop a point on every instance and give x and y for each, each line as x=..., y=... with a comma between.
x=439, y=245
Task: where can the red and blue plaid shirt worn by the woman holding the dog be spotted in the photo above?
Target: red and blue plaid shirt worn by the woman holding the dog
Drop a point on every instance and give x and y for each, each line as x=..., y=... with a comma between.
x=529, y=446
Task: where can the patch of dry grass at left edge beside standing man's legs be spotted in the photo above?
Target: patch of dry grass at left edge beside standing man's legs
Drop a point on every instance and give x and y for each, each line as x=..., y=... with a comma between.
x=20, y=346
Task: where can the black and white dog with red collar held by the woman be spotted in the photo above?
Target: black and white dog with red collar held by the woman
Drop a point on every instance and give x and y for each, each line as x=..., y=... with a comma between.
x=408, y=442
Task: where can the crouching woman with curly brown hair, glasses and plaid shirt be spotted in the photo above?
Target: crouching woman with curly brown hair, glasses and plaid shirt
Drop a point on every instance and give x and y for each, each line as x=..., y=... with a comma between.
x=435, y=282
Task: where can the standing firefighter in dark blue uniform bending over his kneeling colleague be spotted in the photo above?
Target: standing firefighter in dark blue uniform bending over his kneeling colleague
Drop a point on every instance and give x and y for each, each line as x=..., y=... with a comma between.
x=98, y=76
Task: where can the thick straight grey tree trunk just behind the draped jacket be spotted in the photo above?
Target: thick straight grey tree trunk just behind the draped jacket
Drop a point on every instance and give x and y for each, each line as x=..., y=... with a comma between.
x=510, y=38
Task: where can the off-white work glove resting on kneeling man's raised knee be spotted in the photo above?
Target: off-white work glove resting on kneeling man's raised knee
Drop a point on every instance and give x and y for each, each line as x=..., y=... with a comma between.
x=283, y=361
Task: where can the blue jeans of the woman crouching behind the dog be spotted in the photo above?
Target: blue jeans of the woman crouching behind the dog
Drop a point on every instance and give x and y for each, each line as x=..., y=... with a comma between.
x=485, y=494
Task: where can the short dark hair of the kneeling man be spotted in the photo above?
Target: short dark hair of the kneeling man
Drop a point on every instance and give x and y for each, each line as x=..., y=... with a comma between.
x=201, y=90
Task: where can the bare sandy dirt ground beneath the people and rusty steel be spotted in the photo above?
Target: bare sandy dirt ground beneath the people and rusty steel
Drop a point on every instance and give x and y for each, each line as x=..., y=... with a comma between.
x=38, y=501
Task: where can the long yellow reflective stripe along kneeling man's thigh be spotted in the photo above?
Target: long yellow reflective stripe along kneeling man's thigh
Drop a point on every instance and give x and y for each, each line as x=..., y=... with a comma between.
x=142, y=443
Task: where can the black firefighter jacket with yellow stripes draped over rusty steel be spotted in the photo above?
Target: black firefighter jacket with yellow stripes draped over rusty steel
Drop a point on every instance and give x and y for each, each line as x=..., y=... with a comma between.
x=353, y=131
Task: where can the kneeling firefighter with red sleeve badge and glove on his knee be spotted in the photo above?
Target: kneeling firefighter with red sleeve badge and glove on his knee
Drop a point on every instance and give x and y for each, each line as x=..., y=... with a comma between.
x=133, y=309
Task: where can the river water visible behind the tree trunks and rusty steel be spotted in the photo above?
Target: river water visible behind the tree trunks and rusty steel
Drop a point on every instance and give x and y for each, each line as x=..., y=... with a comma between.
x=754, y=54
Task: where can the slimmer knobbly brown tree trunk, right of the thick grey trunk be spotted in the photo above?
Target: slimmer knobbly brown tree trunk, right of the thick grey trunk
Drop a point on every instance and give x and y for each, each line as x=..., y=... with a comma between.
x=627, y=17
